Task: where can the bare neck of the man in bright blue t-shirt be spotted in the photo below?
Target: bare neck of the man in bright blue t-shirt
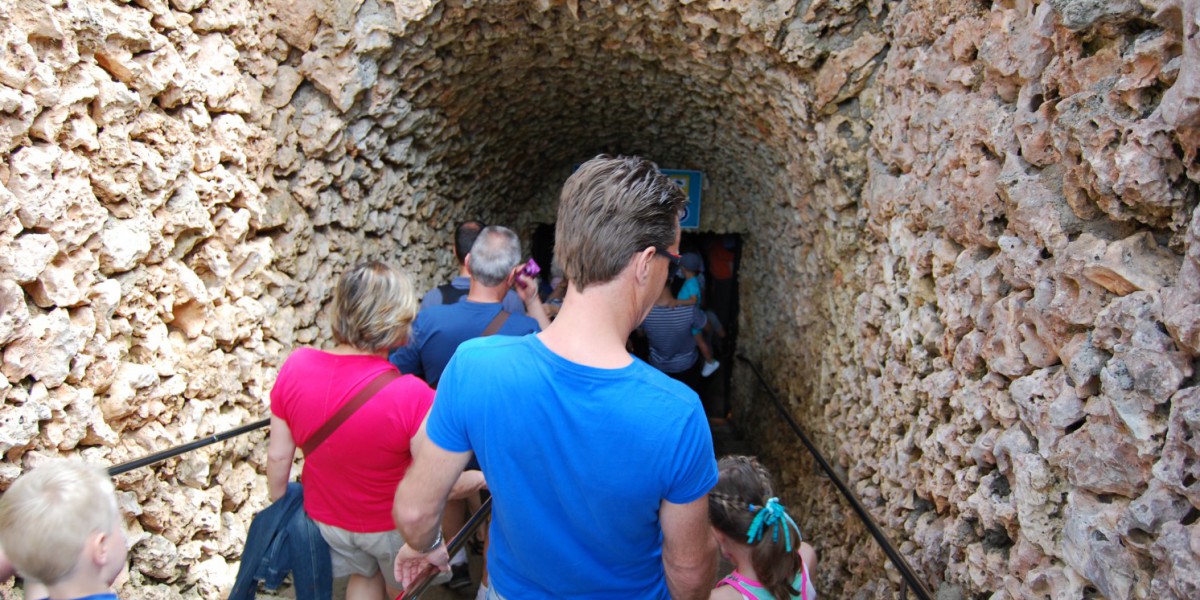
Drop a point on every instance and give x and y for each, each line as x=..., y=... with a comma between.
x=593, y=326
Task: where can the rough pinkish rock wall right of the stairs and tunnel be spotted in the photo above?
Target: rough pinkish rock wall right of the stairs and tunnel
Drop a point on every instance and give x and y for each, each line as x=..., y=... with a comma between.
x=999, y=346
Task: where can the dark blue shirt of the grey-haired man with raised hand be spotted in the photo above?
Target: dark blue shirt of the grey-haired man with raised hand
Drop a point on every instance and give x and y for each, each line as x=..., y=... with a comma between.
x=440, y=329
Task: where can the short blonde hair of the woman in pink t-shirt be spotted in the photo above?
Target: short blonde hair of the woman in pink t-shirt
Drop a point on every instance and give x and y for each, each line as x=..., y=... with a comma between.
x=374, y=308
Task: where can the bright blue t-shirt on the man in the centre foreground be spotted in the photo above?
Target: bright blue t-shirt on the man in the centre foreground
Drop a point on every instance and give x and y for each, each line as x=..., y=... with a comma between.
x=578, y=460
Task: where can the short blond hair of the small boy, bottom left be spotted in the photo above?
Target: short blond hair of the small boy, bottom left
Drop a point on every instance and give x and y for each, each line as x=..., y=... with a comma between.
x=49, y=515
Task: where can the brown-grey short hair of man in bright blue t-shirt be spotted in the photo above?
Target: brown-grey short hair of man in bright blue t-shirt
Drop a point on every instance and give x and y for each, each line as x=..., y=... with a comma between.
x=610, y=211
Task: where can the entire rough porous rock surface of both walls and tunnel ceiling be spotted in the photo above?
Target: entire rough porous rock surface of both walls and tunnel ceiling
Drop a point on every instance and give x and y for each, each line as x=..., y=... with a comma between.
x=971, y=265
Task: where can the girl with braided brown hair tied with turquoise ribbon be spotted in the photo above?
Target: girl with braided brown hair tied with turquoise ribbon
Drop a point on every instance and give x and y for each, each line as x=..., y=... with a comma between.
x=771, y=562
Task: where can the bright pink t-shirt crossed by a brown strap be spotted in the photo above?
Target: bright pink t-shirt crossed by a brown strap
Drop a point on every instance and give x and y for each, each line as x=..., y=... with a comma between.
x=351, y=479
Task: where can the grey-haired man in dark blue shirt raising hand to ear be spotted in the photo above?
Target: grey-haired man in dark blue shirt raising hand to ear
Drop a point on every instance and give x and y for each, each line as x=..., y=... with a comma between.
x=494, y=265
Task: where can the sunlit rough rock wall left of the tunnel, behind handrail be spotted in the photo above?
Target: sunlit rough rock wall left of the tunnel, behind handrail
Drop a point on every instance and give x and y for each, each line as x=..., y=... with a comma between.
x=177, y=197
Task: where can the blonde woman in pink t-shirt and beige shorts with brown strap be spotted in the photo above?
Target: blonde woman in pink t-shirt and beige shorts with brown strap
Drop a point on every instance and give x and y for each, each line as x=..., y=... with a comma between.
x=351, y=479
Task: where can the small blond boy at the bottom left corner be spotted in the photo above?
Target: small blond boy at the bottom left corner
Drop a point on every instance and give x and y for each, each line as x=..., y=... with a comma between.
x=59, y=525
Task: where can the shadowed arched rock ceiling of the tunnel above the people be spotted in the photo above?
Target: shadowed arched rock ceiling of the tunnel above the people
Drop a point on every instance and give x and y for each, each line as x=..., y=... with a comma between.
x=520, y=95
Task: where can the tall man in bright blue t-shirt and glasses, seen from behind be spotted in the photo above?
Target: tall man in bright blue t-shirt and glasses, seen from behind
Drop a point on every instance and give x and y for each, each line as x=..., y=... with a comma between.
x=599, y=465
